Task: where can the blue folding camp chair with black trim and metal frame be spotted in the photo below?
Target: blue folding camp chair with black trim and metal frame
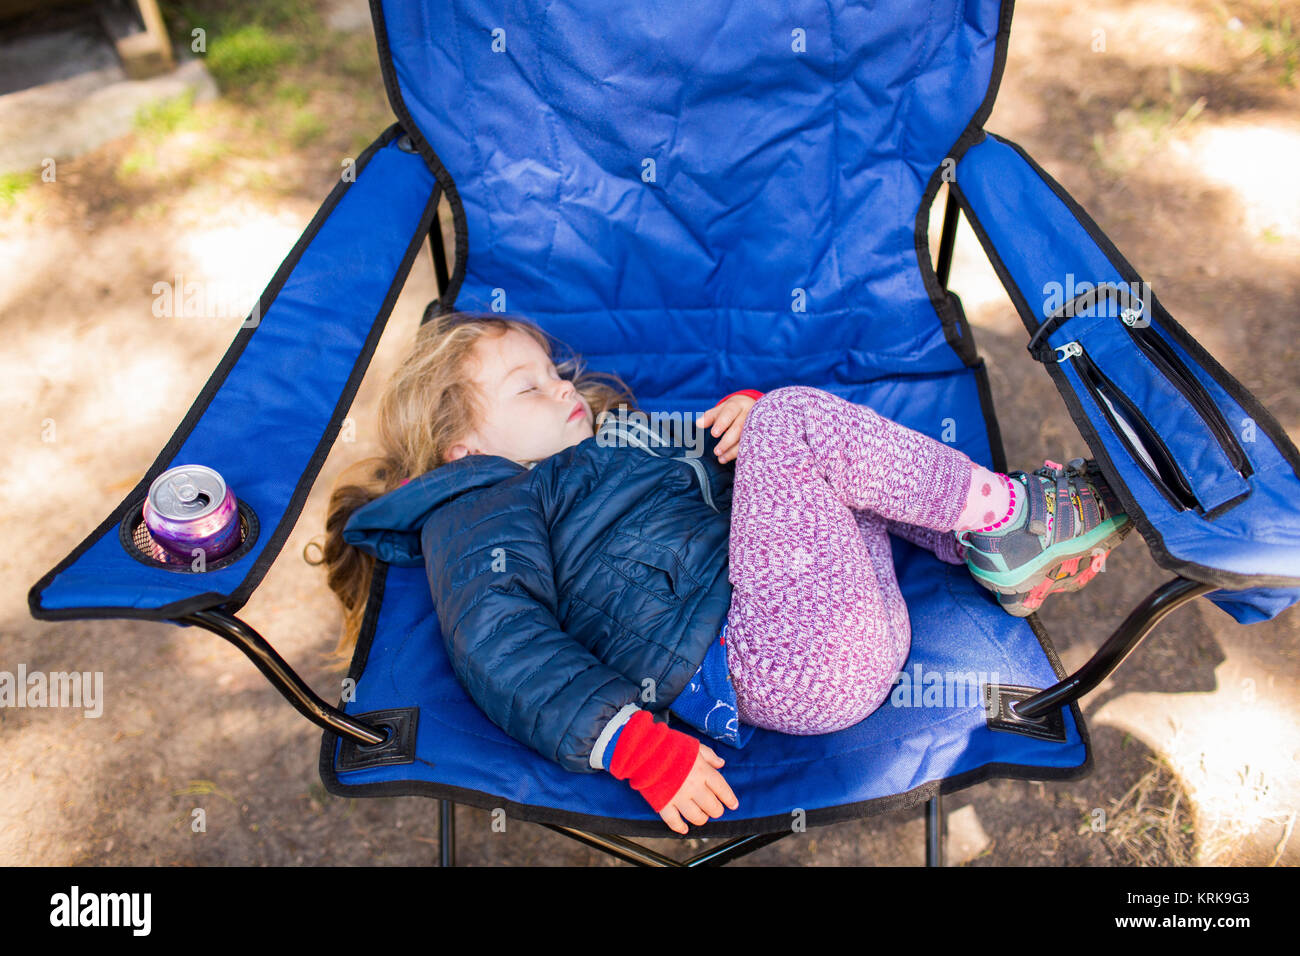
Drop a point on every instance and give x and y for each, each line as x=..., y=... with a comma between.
x=703, y=200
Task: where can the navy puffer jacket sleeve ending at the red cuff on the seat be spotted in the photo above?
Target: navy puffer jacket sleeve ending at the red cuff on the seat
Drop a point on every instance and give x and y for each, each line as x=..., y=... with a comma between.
x=491, y=572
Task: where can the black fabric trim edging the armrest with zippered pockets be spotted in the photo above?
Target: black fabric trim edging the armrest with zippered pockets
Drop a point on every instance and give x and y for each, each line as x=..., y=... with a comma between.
x=1227, y=581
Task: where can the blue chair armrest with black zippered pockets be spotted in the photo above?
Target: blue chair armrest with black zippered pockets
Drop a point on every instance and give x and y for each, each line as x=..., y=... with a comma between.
x=1208, y=475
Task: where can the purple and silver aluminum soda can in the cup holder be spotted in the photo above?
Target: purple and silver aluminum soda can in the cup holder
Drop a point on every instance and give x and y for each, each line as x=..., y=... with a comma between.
x=188, y=508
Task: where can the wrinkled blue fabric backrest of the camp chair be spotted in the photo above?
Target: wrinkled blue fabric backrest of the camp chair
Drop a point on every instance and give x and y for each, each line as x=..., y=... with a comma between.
x=735, y=191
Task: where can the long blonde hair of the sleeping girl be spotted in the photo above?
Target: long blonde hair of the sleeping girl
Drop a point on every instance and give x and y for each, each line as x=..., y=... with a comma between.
x=430, y=405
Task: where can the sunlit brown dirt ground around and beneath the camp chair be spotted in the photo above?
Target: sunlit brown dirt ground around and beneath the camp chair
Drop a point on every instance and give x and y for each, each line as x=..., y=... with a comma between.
x=1178, y=139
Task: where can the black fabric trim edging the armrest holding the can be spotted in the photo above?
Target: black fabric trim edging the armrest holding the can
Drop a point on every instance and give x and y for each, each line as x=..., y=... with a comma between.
x=271, y=552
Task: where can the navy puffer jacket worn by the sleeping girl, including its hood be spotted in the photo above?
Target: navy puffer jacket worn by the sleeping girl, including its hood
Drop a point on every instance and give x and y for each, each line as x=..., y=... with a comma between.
x=569, y=591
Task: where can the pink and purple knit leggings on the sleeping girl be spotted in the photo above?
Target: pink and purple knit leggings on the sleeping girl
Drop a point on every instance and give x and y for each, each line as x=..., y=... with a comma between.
x=818, y=629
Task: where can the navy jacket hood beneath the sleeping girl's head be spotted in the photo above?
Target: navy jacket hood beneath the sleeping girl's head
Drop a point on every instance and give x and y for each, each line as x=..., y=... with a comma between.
x=389, y=527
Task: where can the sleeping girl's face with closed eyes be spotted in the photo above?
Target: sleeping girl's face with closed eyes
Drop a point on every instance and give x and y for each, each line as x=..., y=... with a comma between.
x=531, y=412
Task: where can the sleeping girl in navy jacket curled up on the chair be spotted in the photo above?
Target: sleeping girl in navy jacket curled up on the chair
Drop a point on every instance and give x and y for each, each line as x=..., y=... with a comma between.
x=591, y=574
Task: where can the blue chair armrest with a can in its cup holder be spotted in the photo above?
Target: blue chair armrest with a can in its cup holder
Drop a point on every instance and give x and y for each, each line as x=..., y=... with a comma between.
x=271, y=412
